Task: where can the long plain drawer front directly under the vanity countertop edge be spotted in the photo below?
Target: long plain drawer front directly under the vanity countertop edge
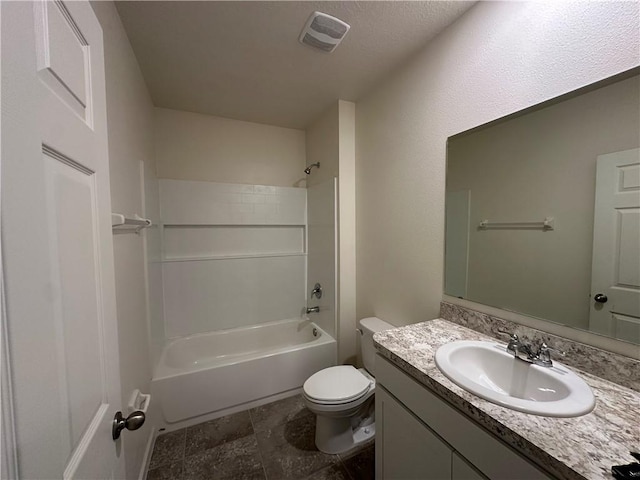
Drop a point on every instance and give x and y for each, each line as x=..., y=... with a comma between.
x=487, y=453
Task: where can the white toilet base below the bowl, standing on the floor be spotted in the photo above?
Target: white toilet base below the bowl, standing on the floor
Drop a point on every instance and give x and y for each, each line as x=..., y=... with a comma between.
x=337, y=435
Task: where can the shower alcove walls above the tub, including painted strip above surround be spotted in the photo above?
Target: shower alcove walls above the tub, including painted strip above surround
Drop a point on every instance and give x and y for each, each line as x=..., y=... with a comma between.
x=237, y=249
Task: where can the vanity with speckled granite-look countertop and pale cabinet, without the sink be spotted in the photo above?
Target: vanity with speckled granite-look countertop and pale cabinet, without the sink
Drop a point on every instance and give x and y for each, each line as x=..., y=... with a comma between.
x=427, y=427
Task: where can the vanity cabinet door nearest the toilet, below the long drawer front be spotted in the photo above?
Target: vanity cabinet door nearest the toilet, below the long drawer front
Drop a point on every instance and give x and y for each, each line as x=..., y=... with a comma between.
x=405, y=447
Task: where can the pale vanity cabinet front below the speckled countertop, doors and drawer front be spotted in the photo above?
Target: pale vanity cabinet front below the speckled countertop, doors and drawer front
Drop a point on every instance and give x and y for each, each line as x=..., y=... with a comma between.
x=421, y=436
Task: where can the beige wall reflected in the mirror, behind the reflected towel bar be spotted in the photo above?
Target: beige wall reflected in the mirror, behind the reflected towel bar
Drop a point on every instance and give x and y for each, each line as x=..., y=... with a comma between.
x=537, y=165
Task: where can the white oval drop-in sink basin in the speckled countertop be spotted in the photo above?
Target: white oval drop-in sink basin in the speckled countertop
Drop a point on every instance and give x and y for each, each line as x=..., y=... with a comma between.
x=487, y=370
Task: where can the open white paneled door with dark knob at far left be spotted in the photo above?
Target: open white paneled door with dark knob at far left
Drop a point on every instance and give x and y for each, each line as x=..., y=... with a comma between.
x=57, y=245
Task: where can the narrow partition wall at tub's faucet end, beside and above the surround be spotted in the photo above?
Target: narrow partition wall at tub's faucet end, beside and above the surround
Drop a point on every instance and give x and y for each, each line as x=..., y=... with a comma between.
x=330, y=140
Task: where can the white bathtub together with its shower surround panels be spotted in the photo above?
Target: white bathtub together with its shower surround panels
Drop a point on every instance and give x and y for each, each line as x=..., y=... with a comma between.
x=236, y=264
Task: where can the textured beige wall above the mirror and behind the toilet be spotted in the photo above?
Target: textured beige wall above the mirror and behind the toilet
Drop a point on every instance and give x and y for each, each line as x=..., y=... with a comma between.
x=498, y=58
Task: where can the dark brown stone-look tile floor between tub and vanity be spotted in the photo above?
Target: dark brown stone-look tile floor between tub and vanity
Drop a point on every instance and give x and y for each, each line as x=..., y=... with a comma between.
x=272, y=442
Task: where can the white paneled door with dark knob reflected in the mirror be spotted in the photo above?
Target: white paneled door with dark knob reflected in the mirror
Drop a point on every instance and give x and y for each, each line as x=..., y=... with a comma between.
x=615, y=275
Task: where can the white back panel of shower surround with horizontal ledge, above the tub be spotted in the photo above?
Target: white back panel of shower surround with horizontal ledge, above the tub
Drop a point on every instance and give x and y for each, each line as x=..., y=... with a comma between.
x=234, y=255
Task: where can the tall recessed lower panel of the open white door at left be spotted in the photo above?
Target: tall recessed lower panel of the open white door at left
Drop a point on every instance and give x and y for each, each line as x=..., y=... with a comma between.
x=71, y=215
